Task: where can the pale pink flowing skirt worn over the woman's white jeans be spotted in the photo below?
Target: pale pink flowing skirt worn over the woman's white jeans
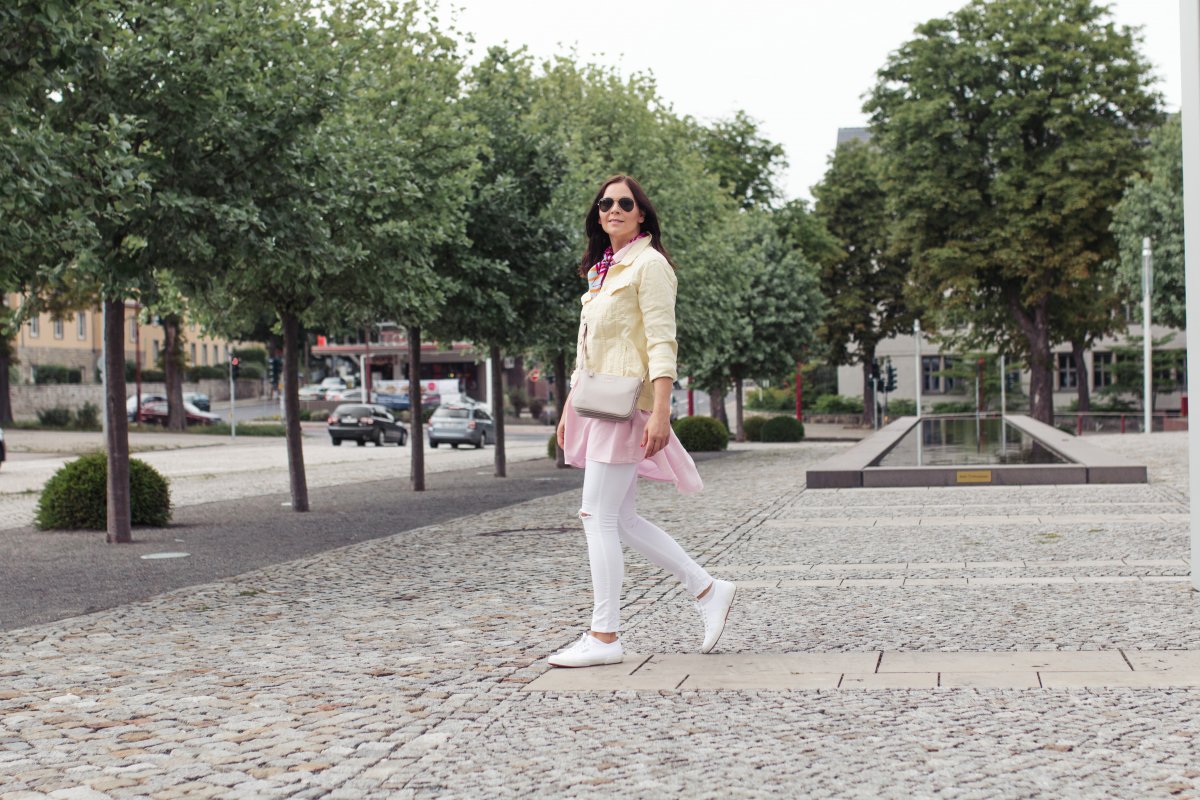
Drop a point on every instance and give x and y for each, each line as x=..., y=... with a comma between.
x=620, y=443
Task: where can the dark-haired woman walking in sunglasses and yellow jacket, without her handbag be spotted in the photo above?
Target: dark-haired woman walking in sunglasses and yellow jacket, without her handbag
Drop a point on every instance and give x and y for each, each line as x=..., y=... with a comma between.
x=628, y=329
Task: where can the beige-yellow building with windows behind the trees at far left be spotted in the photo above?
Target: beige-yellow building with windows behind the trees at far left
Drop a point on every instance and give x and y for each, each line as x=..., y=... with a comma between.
x=76, y=342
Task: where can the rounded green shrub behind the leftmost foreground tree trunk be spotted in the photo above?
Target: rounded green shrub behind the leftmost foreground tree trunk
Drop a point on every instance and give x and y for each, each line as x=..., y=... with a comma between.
x=76, y=497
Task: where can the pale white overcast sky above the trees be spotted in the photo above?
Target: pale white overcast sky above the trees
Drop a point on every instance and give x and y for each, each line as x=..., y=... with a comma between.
x=799, y=67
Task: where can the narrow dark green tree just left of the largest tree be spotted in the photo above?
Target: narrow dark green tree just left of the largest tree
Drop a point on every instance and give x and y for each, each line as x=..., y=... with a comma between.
x=866, y=286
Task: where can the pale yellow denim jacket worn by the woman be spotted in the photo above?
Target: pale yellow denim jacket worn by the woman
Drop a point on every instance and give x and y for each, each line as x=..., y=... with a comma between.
x=631, y=323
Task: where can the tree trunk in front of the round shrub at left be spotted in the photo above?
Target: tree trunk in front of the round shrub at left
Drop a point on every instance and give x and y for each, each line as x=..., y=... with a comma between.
x=118, y=430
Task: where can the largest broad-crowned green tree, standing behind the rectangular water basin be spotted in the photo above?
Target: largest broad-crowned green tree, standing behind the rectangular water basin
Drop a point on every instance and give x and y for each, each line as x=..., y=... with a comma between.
x=1011, y=128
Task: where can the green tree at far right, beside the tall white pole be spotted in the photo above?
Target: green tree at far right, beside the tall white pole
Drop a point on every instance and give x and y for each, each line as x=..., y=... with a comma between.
x=1154, y=207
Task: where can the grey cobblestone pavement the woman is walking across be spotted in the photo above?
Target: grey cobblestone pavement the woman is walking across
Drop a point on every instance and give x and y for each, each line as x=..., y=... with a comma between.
x=401, y=667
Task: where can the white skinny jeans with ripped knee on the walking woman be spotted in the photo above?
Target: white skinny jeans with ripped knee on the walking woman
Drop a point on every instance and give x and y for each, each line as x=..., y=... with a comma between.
x=609, y=515
